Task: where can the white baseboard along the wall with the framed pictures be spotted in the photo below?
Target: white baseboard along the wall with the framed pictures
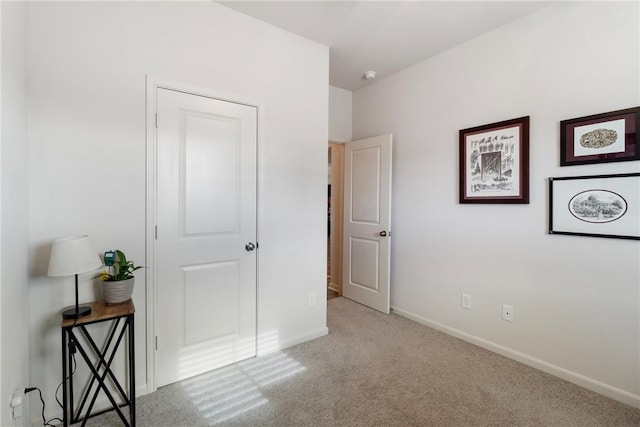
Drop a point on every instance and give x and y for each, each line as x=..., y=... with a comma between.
x=573, y=377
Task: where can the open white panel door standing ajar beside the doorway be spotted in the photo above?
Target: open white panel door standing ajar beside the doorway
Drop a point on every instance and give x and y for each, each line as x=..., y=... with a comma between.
x=367, y=221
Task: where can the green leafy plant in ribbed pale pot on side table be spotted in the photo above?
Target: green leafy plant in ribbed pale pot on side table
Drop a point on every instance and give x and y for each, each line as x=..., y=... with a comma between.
x=118, y=279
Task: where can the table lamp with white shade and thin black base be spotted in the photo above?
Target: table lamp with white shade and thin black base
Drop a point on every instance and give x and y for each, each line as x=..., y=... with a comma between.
x=72, y=256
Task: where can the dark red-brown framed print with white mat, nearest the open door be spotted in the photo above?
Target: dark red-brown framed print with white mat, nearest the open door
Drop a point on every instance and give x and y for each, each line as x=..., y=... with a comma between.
x=494, y=162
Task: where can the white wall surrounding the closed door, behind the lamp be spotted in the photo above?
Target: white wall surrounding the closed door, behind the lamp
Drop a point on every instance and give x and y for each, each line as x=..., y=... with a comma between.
x=87, y=65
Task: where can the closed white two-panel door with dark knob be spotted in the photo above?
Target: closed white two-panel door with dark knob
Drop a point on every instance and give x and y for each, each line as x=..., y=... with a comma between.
x=206, y=234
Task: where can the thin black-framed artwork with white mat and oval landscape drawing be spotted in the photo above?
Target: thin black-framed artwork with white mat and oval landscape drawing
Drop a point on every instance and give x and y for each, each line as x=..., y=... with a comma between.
x=595, y=206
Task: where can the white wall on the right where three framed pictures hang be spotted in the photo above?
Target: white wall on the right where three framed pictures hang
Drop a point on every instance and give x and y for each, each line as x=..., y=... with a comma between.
x=576, y=299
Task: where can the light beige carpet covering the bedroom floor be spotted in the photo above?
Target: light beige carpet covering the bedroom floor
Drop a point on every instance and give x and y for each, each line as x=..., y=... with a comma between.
x=377, y=370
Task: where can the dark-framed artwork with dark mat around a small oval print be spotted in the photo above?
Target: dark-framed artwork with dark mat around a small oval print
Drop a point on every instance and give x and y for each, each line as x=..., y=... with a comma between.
x=601, y=138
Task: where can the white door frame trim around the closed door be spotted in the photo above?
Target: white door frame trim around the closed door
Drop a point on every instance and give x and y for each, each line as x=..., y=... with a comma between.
x=152, y=84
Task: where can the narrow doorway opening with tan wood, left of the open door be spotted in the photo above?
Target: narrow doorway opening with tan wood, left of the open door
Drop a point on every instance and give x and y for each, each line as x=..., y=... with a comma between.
x=335, y=214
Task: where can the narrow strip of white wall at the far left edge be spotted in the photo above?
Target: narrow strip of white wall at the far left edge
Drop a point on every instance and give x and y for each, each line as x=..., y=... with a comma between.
x=14, y=294
